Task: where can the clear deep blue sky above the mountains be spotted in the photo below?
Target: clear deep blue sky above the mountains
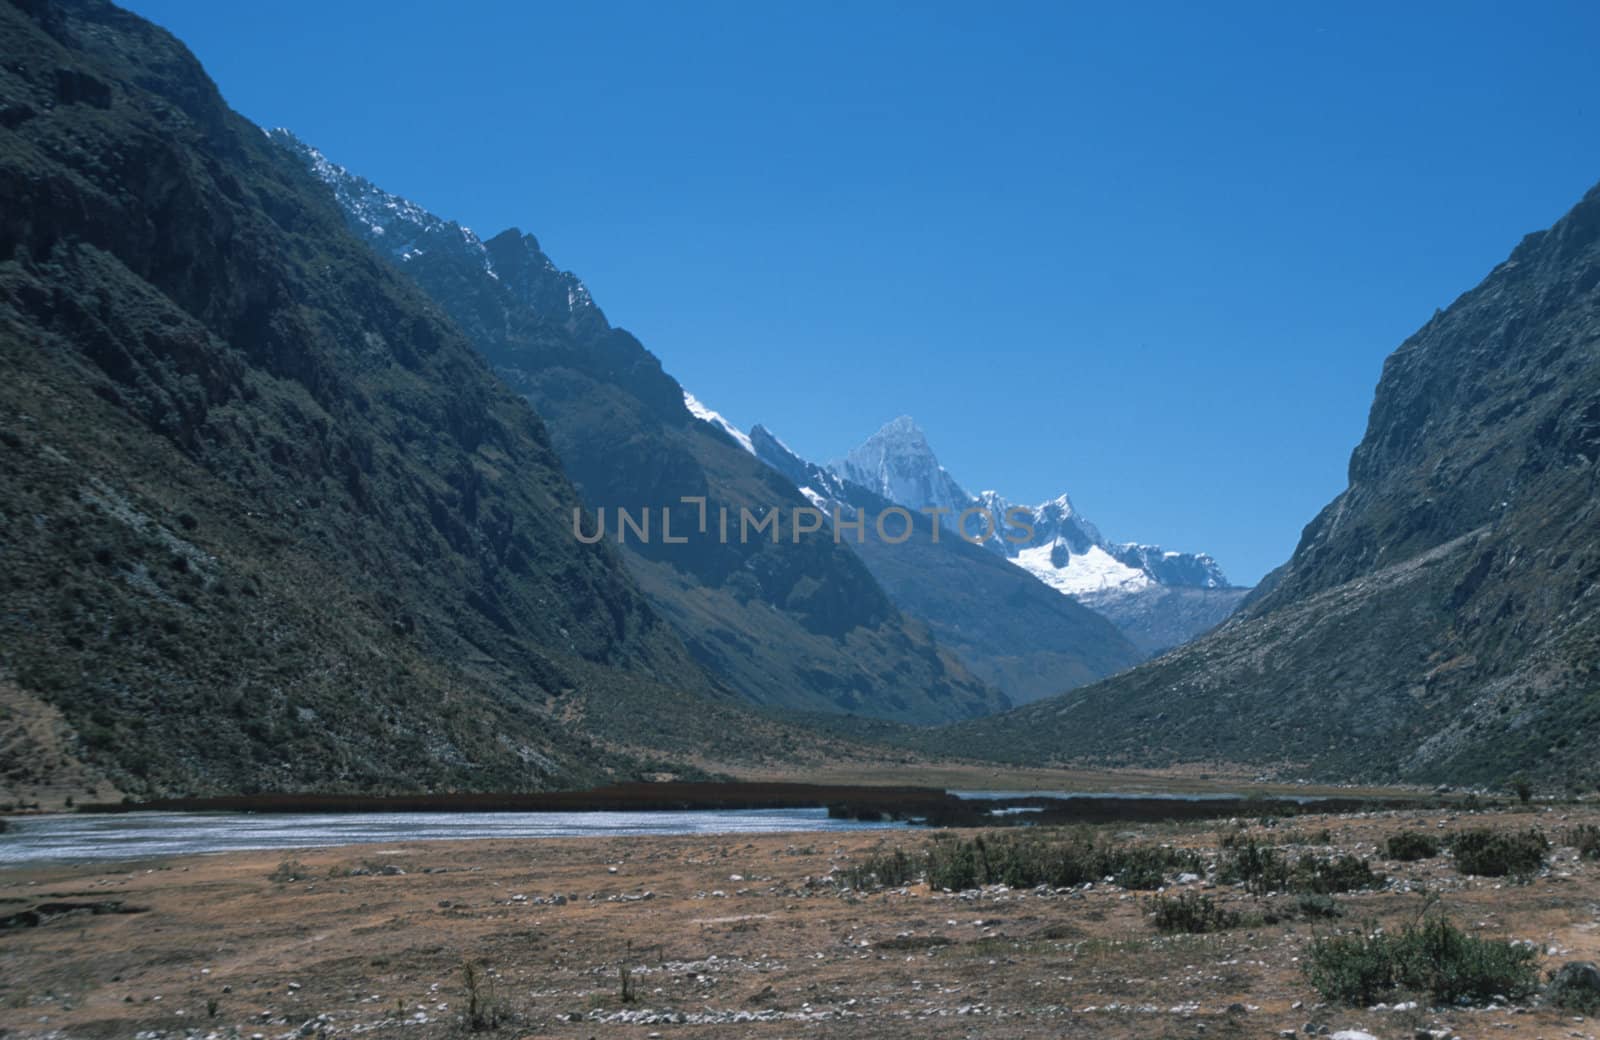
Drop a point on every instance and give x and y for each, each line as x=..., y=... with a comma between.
x=1151, y=255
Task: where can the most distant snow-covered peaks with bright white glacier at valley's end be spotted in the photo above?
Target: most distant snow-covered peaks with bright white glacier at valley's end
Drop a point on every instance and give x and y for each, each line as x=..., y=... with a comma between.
x=1156, y=598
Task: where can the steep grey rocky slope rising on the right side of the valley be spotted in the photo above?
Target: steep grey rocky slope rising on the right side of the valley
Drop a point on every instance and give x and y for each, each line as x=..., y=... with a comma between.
x=1441, y=620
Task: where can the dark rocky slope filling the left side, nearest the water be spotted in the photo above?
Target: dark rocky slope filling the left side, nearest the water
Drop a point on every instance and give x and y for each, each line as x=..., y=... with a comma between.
x=266, y=518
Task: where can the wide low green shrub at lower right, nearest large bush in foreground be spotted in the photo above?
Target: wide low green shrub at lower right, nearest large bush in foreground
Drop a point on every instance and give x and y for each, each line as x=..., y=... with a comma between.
x=1433, y=958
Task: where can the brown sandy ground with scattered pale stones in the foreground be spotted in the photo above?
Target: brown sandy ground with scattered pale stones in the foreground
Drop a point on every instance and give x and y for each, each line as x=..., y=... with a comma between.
x=734, y=937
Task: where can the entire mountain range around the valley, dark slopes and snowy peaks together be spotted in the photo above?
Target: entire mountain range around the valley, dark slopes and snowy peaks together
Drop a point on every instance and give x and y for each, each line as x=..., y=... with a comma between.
x=297, y=476
